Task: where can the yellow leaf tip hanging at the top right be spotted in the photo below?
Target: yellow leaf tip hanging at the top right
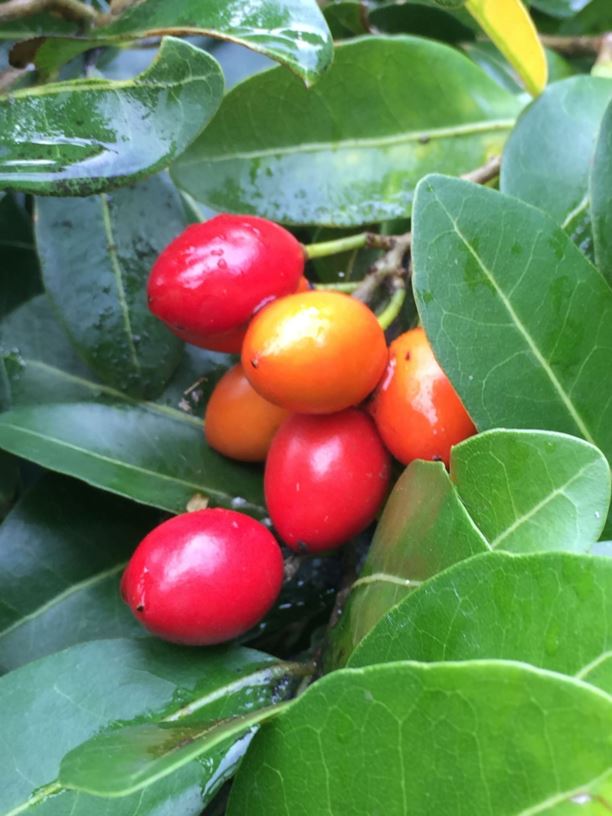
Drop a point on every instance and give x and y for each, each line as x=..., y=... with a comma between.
x=509, y=26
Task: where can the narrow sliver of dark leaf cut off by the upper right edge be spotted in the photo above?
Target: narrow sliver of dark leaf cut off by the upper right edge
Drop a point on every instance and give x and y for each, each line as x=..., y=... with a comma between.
x=601, y=196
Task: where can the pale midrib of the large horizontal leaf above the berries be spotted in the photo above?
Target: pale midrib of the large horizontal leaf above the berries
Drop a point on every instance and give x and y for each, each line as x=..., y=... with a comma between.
x=365, y=142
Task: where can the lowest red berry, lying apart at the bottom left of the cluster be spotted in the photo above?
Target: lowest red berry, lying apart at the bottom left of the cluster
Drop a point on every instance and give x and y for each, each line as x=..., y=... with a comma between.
x=203, y=577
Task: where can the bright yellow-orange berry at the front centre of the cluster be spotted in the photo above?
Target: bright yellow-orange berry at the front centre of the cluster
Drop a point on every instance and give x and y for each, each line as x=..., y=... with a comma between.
x=314, y=352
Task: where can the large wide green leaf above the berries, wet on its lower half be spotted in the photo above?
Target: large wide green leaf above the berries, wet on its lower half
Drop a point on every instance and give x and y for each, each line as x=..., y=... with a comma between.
x=299, y=156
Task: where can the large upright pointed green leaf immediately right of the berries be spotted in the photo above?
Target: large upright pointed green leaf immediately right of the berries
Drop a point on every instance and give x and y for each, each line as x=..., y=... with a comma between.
x=519, y=320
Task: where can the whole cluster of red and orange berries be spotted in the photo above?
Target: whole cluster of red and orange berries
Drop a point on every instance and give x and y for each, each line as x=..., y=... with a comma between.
x=309, y=361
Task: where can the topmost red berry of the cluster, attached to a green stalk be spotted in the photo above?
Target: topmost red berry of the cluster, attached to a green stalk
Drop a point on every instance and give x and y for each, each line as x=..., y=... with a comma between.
x=214, y=276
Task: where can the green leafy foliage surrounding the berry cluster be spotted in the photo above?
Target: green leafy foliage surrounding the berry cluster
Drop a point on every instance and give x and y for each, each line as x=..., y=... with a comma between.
x=470, y=671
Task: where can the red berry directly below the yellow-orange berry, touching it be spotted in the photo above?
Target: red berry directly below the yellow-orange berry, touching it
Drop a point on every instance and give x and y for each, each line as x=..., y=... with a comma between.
x=325, y=479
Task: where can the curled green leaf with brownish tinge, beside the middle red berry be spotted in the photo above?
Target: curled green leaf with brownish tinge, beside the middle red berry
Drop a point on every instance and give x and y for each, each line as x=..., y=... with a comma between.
x=424, y=528
